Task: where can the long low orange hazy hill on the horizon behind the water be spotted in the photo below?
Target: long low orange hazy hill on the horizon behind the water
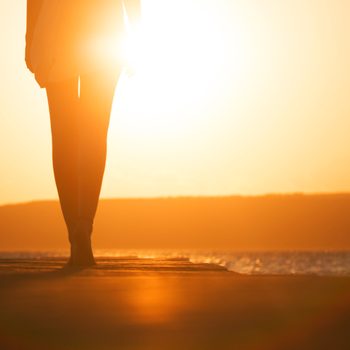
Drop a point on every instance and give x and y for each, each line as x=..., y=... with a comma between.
x=235, y=222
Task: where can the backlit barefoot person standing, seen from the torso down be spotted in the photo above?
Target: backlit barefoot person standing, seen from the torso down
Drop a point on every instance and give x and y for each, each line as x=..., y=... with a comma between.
x=69, y=48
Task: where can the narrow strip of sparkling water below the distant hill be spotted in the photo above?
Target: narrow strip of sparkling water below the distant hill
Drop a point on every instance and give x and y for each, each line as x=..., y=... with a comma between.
x=323, y=263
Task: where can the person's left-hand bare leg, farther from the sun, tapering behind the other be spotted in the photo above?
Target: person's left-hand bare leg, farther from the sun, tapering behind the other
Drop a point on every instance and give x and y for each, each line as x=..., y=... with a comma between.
x=63, y=106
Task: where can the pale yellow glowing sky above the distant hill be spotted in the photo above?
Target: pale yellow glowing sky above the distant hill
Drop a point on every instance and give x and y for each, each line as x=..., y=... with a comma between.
x=243, y=96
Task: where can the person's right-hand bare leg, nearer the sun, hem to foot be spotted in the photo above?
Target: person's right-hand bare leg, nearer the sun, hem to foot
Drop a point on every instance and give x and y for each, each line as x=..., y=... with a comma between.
x=95, y=103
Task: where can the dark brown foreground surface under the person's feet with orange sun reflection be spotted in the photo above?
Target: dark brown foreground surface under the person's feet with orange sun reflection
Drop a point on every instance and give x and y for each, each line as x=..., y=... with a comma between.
x=130, y=303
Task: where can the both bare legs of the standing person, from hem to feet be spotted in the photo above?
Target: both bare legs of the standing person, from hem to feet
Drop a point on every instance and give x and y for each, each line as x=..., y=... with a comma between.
x=79, y=127
